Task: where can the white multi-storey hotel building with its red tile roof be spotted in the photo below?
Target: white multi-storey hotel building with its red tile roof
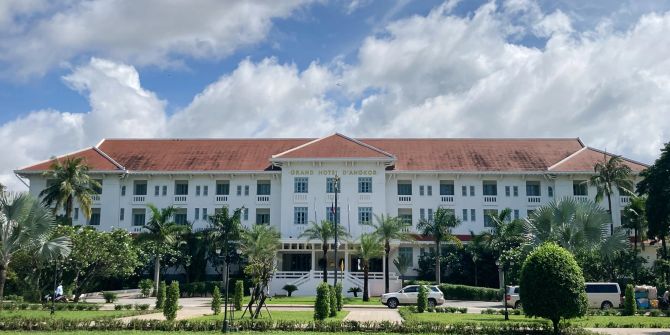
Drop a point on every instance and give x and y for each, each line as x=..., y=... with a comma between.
x=287, y=183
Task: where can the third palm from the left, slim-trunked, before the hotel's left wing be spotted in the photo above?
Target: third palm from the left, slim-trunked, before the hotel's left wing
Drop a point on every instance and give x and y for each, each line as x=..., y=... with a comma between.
x=162, y=234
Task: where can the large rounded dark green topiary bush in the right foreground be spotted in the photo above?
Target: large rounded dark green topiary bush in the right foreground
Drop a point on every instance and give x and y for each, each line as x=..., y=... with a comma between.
x=552, y=285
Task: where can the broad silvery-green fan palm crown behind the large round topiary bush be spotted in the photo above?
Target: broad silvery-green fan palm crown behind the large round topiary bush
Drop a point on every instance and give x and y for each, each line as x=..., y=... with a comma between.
x=579, y=226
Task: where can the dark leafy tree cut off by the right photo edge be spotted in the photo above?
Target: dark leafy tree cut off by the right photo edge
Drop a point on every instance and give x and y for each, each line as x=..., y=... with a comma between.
x=656, y=185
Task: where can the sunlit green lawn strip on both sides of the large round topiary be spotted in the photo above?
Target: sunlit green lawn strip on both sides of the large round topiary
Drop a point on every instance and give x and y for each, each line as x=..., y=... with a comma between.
x=637, y=321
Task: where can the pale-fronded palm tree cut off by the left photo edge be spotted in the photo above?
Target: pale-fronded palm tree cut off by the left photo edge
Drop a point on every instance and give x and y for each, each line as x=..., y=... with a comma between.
x=27, y=225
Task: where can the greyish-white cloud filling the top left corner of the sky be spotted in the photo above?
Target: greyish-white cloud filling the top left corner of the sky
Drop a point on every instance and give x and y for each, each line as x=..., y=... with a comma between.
x=152, y=32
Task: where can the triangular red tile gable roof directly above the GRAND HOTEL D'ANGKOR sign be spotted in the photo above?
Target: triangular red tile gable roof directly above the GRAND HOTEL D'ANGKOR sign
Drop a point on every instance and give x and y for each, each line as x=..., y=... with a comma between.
x=333, y=146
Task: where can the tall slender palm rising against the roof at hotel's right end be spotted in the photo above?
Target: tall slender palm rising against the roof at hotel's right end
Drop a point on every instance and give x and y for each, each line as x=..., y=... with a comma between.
x=610, y=174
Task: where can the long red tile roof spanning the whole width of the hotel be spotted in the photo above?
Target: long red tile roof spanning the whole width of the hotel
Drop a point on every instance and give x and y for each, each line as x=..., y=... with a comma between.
x=467, y=155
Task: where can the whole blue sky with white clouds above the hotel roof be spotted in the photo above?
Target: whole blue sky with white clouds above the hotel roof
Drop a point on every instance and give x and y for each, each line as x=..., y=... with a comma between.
x=75, y=72
